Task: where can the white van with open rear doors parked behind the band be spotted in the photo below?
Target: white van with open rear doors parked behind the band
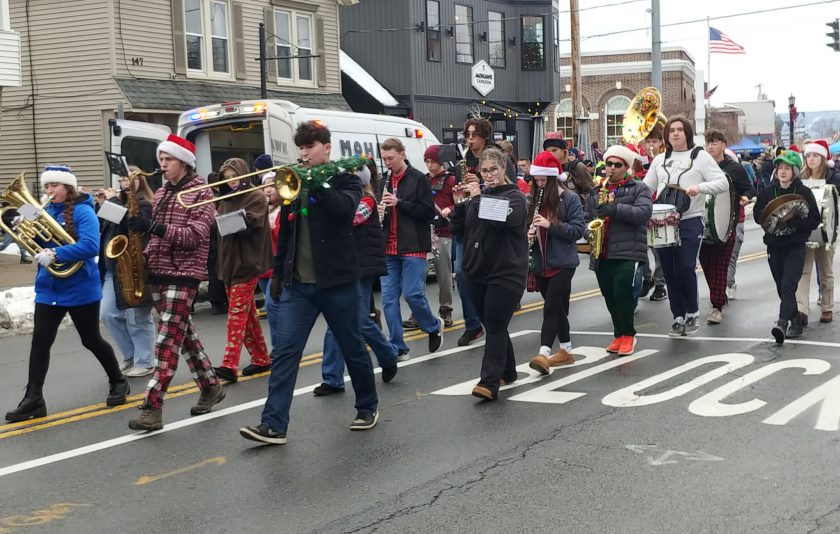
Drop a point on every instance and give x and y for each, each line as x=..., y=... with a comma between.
x=249, y=128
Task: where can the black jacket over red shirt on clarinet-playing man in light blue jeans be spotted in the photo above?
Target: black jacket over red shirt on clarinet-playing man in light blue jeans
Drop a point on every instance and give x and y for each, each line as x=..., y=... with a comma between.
x=415, y=211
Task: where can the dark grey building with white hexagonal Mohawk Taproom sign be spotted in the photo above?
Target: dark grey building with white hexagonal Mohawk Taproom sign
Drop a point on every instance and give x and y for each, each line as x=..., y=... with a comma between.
x=444, y=61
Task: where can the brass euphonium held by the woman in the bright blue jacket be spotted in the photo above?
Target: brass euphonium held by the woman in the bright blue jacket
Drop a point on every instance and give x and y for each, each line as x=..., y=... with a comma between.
x=29, y=234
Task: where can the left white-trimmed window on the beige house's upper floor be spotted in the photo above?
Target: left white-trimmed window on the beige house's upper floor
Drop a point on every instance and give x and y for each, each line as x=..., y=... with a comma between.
x=207, y=30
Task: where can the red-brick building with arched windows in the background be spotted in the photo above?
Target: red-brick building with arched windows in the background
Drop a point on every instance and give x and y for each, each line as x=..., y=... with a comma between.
x=610, y=79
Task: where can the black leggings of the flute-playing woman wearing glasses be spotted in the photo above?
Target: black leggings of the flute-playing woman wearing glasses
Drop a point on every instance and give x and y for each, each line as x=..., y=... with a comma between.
x=495, y=305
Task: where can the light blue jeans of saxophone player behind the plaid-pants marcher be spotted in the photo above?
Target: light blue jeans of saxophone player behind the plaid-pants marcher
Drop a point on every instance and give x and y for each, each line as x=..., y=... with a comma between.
x=133, y=329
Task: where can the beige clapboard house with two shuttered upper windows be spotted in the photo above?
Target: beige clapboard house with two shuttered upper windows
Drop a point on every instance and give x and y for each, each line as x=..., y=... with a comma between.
x=84, y=59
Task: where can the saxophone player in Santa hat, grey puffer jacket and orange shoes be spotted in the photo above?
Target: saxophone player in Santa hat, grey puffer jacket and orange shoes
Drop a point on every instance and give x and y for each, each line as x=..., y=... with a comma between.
x=624, y=205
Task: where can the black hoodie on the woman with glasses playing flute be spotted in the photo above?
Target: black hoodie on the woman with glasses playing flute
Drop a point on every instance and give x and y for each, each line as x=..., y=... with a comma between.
x=495, y=252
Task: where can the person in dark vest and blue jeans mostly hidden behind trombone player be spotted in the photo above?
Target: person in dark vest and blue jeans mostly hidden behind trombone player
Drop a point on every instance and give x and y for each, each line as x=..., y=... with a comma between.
x=370, y=247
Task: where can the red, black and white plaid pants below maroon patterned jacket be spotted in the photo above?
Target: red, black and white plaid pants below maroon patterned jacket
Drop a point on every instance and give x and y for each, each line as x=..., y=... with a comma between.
x=175, y=334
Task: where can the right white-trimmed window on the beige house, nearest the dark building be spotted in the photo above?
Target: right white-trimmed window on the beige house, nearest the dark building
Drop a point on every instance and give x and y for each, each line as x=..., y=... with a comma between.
x=293, y=47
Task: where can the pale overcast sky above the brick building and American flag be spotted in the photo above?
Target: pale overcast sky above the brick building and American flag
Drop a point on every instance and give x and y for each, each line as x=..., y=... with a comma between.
x=781, y=46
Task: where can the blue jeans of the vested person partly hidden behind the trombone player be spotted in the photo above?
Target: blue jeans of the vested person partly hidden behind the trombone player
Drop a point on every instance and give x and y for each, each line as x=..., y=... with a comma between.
x=332, y=365
